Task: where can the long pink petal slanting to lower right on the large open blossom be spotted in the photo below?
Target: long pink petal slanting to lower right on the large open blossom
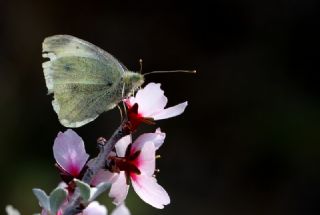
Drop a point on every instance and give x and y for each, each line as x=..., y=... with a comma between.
x=150, y=191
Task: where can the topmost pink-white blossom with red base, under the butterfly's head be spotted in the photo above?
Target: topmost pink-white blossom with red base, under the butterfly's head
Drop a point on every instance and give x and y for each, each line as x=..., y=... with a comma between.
x=149, y=104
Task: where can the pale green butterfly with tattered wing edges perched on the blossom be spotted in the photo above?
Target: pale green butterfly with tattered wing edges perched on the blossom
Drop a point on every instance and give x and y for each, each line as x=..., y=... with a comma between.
x=84, y=79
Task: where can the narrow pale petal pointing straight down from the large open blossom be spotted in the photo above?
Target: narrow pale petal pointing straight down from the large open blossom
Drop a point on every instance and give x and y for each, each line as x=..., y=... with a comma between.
x=119, y=189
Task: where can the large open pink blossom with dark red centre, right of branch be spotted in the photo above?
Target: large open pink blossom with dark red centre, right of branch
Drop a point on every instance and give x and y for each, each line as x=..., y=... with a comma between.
x=136, y=162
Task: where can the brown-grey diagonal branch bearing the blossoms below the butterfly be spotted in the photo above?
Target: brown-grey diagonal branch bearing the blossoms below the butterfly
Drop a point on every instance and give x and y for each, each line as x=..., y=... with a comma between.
x=74, y=206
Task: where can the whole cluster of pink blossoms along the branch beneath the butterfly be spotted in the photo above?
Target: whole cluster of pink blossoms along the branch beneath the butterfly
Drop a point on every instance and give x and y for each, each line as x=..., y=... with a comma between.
x=131, y=162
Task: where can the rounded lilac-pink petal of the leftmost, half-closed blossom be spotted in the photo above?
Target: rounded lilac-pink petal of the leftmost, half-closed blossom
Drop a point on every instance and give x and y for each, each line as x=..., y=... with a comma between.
x=69, y=152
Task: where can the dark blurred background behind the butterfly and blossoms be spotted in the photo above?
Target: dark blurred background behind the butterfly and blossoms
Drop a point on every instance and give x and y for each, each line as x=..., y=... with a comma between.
x=249, y=141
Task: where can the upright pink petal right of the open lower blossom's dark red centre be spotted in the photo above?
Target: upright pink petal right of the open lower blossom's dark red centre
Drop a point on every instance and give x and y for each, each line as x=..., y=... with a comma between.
x=146, y=161
